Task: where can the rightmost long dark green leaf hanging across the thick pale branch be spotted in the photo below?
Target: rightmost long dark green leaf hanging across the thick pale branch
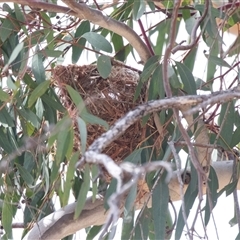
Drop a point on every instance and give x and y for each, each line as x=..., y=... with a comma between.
x=212, y=194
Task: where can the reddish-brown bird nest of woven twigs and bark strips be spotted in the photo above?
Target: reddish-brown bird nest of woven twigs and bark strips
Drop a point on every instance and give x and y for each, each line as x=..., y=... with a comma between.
x=108, y=99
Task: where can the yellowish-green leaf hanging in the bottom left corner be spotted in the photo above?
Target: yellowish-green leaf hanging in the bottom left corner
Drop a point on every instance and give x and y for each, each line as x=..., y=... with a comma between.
x=7, y=215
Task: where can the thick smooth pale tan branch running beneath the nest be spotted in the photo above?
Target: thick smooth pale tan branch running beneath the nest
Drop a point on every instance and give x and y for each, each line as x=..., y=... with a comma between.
x=95, y=214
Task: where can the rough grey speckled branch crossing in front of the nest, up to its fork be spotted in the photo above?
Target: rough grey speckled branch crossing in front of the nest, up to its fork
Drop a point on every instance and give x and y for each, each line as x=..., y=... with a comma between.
x=156, y=105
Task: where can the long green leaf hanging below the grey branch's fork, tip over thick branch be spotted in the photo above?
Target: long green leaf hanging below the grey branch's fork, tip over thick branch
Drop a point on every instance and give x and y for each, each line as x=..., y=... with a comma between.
x=82, y=196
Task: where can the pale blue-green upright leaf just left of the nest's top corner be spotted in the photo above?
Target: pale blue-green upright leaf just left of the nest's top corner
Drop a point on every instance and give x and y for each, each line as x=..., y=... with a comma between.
x=37, y=67
